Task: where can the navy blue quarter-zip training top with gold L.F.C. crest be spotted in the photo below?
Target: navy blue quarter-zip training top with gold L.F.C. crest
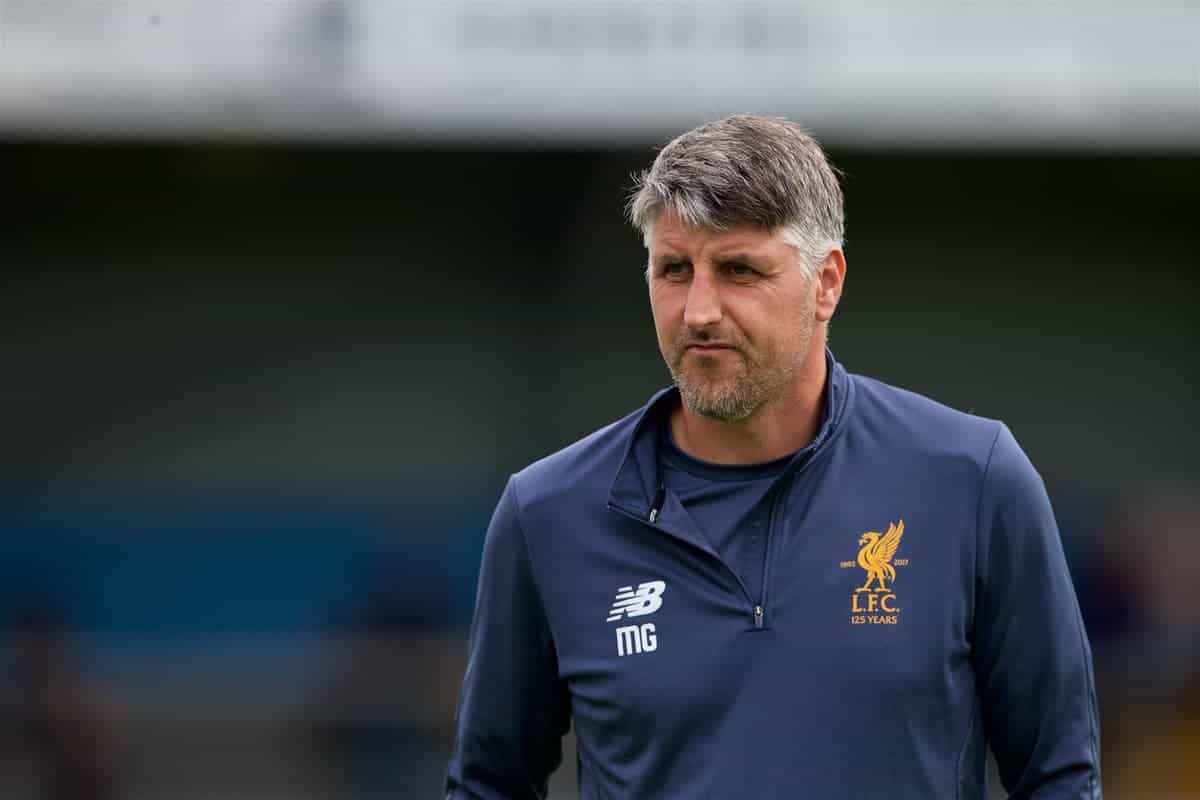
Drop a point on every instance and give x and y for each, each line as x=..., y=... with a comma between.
x=914, y=606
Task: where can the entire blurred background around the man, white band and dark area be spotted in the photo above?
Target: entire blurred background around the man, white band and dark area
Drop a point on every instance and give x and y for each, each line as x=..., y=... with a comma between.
x=290, y=288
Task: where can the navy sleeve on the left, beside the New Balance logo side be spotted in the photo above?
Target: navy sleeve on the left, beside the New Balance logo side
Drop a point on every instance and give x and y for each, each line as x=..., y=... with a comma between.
x=514, y=708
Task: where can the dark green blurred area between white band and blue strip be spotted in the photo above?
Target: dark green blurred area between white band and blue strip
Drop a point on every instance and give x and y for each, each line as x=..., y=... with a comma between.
x=249, y=314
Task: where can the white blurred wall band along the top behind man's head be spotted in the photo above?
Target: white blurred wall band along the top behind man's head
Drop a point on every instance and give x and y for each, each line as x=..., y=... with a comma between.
x=1058, y=74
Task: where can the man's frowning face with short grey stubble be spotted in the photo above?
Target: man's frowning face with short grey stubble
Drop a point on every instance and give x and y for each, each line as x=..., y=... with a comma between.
x=736, y=314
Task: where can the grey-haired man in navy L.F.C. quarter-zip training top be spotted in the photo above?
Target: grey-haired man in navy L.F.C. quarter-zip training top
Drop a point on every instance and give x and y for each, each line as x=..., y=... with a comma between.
x=776, y=580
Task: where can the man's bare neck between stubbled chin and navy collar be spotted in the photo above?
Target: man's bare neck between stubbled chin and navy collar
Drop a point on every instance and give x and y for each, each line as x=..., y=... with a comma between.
x=783, y=426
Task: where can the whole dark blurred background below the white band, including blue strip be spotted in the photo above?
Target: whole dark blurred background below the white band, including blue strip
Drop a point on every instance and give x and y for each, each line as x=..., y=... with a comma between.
x=347, y=351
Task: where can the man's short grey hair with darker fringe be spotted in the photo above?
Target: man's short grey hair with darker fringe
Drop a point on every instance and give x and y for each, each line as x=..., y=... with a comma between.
x=746, y=170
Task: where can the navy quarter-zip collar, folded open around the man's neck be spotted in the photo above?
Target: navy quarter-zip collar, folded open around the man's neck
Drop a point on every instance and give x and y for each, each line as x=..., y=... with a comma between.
x=638, y=488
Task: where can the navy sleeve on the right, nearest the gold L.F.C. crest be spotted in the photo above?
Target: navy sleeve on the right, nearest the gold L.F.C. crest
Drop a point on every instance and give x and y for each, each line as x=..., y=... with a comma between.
x=1033, y=660
